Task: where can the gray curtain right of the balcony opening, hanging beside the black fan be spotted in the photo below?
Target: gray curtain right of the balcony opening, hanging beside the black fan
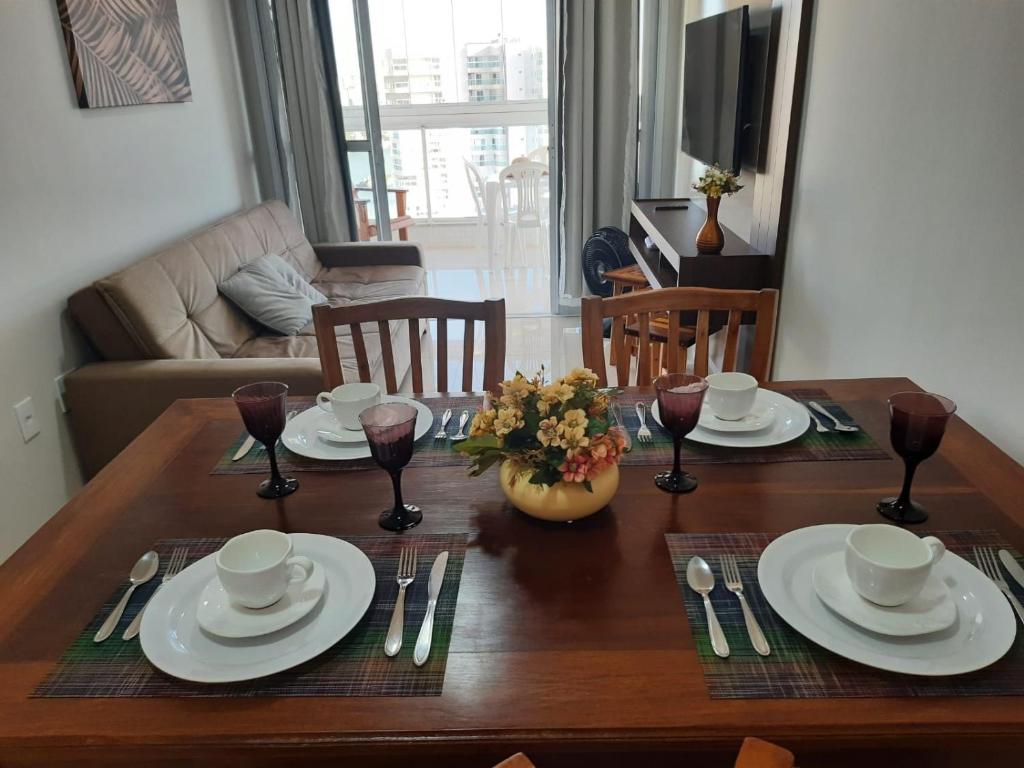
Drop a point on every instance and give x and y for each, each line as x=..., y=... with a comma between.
x=598, y=121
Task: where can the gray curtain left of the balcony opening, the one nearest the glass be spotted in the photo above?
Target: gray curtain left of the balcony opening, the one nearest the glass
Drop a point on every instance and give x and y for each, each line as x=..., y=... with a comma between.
x=323, y=193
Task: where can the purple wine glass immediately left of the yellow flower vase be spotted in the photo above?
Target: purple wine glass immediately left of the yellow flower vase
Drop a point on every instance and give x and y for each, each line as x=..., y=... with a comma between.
x=391, y=431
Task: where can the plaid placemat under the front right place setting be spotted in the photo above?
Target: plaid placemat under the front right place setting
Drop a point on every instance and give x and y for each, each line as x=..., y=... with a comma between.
x=798, y=668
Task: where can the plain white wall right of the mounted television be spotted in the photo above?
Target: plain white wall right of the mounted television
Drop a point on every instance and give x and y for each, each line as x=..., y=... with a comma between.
x=906, y=255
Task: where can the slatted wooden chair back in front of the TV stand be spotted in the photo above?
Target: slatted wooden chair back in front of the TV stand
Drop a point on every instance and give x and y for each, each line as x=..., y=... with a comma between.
x=677, y=304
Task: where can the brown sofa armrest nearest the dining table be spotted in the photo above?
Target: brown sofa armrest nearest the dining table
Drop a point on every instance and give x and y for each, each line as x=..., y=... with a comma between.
x=110, y=404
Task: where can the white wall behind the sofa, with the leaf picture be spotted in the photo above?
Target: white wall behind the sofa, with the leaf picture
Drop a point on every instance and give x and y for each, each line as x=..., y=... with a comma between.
x=83, y=193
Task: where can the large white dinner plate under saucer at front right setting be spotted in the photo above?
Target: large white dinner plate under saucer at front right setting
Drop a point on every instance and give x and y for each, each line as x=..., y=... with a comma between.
x=984, y=632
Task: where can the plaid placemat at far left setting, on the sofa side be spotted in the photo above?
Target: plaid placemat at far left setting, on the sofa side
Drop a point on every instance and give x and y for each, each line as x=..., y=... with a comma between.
x=429, y=453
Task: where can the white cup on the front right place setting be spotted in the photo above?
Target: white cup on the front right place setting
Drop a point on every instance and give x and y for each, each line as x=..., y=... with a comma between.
x=889, y=566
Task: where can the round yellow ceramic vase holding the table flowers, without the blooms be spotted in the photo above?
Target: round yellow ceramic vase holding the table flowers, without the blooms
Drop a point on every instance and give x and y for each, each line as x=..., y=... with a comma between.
x=562, y=502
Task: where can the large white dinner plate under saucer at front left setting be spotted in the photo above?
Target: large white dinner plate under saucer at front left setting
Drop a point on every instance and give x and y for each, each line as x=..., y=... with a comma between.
x=174, y=642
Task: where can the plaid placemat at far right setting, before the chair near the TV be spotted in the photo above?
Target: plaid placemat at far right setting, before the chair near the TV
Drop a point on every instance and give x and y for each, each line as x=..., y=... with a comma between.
x=812, y=447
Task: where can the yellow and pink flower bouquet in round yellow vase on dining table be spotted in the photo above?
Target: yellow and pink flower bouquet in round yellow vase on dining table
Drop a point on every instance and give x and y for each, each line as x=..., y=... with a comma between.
x=559, y=451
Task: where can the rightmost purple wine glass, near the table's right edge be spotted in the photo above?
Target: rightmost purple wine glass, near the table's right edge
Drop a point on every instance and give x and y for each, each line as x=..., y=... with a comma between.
x=918, y=421
